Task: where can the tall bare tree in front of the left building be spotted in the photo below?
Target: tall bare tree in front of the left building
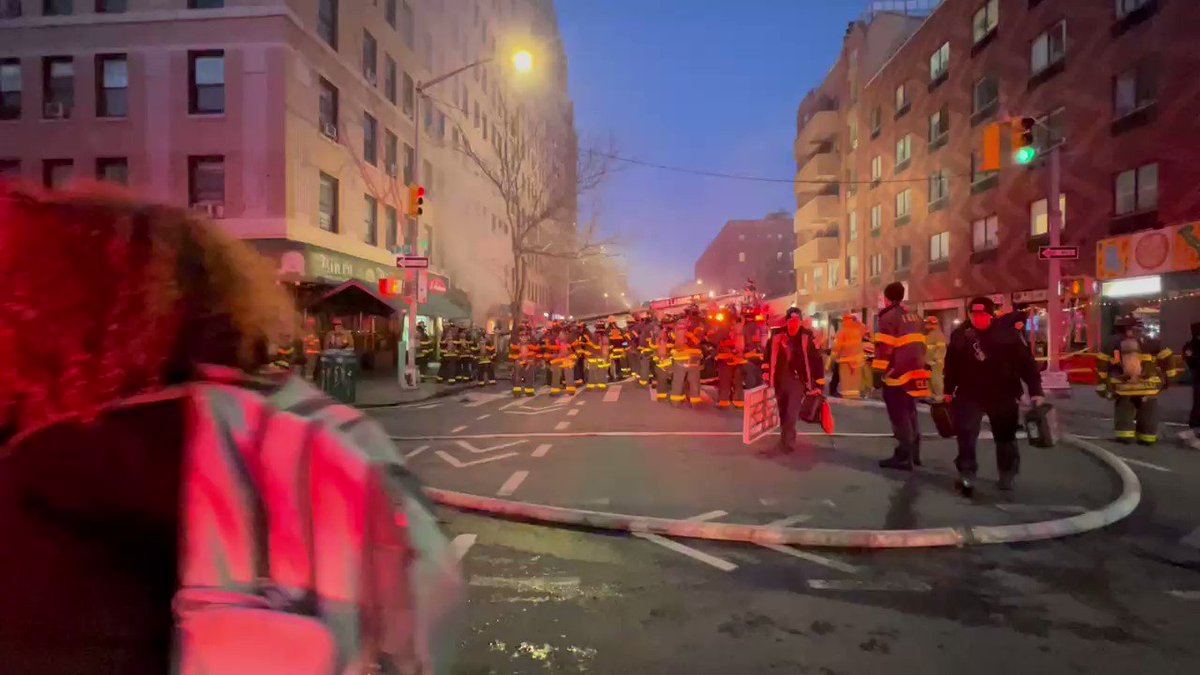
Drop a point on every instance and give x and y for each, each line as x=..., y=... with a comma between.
x=541, y=187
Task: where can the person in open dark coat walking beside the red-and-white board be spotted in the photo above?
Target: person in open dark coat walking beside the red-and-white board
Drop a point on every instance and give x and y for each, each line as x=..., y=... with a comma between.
x=796, y=369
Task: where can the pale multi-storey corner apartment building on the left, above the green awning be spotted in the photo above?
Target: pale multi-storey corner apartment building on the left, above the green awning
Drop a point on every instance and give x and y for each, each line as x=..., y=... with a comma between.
x=293, y=123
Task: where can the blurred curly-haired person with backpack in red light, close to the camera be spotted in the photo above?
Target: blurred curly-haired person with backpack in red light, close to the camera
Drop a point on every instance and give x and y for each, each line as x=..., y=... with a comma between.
x=164, y=511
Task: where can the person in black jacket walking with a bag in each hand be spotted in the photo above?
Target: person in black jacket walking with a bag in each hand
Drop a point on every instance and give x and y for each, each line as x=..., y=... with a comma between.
x=986, y=365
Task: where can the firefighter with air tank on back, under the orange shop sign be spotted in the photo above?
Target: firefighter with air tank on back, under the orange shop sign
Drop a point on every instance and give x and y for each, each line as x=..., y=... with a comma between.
x=1133, y=371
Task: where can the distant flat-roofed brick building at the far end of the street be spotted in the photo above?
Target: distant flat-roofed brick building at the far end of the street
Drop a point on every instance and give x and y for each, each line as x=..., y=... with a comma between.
x=758, y=250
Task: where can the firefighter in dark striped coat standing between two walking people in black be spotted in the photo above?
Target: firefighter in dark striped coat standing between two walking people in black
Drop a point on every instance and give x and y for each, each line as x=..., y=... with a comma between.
x=901, y=368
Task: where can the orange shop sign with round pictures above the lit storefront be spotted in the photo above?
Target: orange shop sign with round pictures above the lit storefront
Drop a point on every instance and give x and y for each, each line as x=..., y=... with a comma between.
x=1148, y=254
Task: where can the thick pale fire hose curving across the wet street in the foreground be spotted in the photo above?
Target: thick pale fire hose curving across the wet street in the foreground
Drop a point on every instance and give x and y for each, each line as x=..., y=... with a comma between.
x=934, y=537
